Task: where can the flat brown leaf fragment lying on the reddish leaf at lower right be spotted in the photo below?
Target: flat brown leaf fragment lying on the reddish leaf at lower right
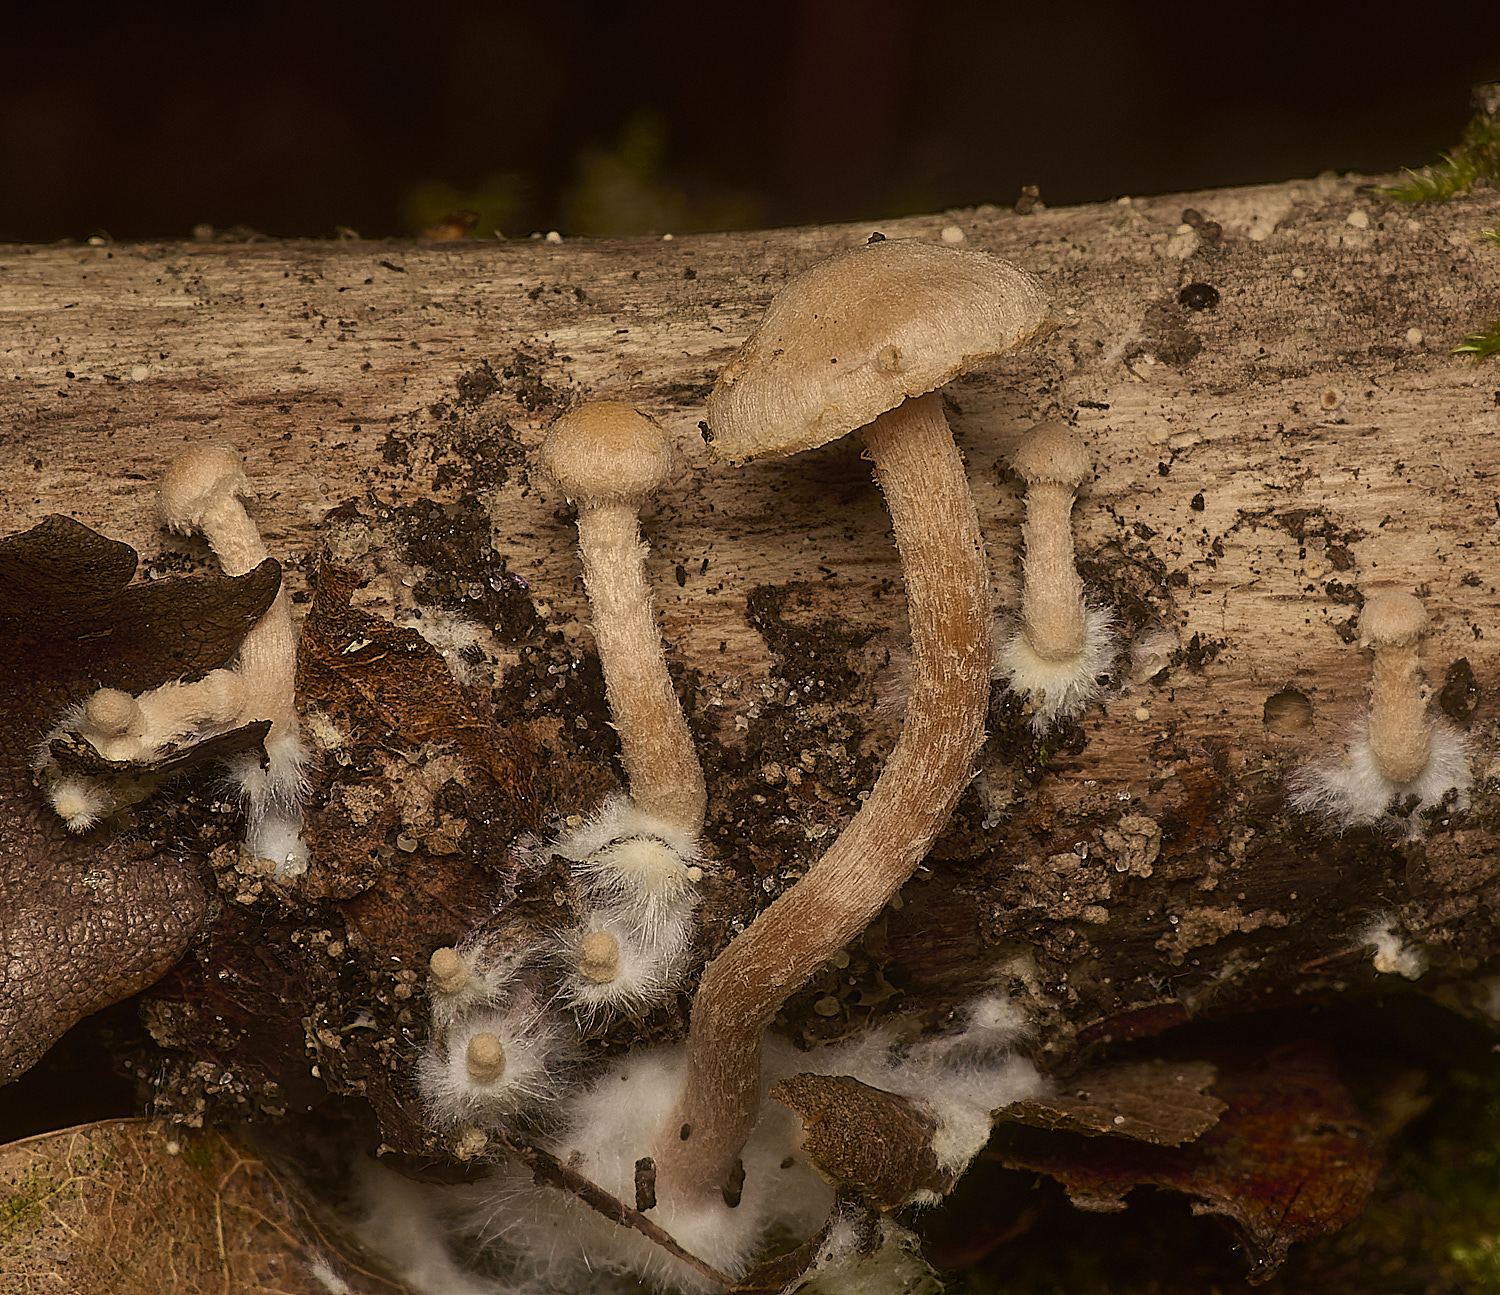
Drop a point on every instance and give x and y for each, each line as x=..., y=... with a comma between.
x=1156, y=1101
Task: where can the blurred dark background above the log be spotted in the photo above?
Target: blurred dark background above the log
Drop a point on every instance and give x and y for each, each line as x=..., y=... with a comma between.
x=656, y=116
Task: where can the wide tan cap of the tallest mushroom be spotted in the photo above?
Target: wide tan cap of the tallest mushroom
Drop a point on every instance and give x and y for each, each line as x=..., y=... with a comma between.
x=862, y=332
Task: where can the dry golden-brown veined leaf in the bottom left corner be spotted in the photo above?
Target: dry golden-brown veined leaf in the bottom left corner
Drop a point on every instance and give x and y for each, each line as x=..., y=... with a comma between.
x=113, y=1209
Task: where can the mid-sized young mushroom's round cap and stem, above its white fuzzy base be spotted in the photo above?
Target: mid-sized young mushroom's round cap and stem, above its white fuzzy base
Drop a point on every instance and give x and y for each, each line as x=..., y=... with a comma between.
x=610, y=460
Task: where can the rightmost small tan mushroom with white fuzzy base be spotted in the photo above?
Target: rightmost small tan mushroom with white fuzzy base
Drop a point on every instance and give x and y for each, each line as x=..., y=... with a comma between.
x=1402, y=762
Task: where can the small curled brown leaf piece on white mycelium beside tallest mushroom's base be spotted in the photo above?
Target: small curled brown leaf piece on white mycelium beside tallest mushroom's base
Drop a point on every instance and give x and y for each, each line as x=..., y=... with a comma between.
x=866, y=1138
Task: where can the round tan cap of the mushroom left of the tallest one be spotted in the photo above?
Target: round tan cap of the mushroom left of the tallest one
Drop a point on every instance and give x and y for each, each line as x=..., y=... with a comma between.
x=608, y=452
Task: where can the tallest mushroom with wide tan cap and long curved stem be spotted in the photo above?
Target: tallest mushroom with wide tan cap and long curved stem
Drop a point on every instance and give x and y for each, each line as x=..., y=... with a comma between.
x=862, y=340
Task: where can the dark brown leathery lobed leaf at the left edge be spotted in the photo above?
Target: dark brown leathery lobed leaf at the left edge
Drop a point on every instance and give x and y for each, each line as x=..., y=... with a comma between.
x=88, y=921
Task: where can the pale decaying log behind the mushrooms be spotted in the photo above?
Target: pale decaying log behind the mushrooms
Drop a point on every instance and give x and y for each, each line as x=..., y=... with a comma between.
x=1261, y=461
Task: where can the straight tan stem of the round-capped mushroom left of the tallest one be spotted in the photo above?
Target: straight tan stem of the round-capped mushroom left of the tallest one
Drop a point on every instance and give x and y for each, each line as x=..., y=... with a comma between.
x=667, y=781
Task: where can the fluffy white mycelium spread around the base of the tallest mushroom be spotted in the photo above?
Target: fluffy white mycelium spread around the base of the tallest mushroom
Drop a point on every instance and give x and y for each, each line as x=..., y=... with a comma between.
x=541, y=1240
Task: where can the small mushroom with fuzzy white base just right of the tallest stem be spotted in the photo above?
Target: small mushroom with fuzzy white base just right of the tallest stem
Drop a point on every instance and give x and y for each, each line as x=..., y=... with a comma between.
x=1064, y=643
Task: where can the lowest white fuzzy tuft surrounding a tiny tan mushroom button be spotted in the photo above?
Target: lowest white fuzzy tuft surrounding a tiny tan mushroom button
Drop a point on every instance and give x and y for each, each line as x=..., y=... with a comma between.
x=496, y=1065
